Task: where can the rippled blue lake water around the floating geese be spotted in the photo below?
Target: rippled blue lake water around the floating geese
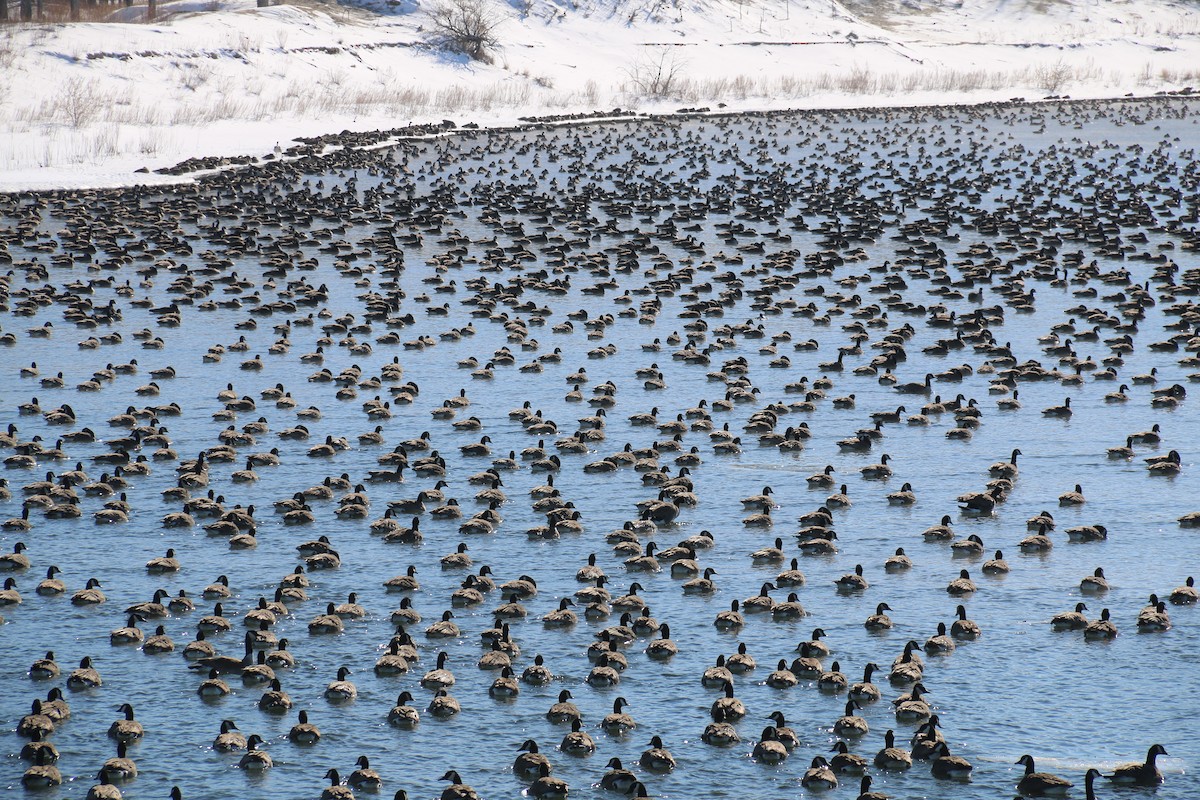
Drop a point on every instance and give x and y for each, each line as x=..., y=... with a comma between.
x=1019, y=689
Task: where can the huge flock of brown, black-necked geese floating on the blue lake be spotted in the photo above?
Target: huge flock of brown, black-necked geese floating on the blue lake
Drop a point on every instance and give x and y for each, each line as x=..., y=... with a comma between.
x=343, y=279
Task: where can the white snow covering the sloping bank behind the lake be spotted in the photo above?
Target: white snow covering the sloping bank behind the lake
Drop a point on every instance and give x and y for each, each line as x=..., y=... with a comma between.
x=89, y=105
